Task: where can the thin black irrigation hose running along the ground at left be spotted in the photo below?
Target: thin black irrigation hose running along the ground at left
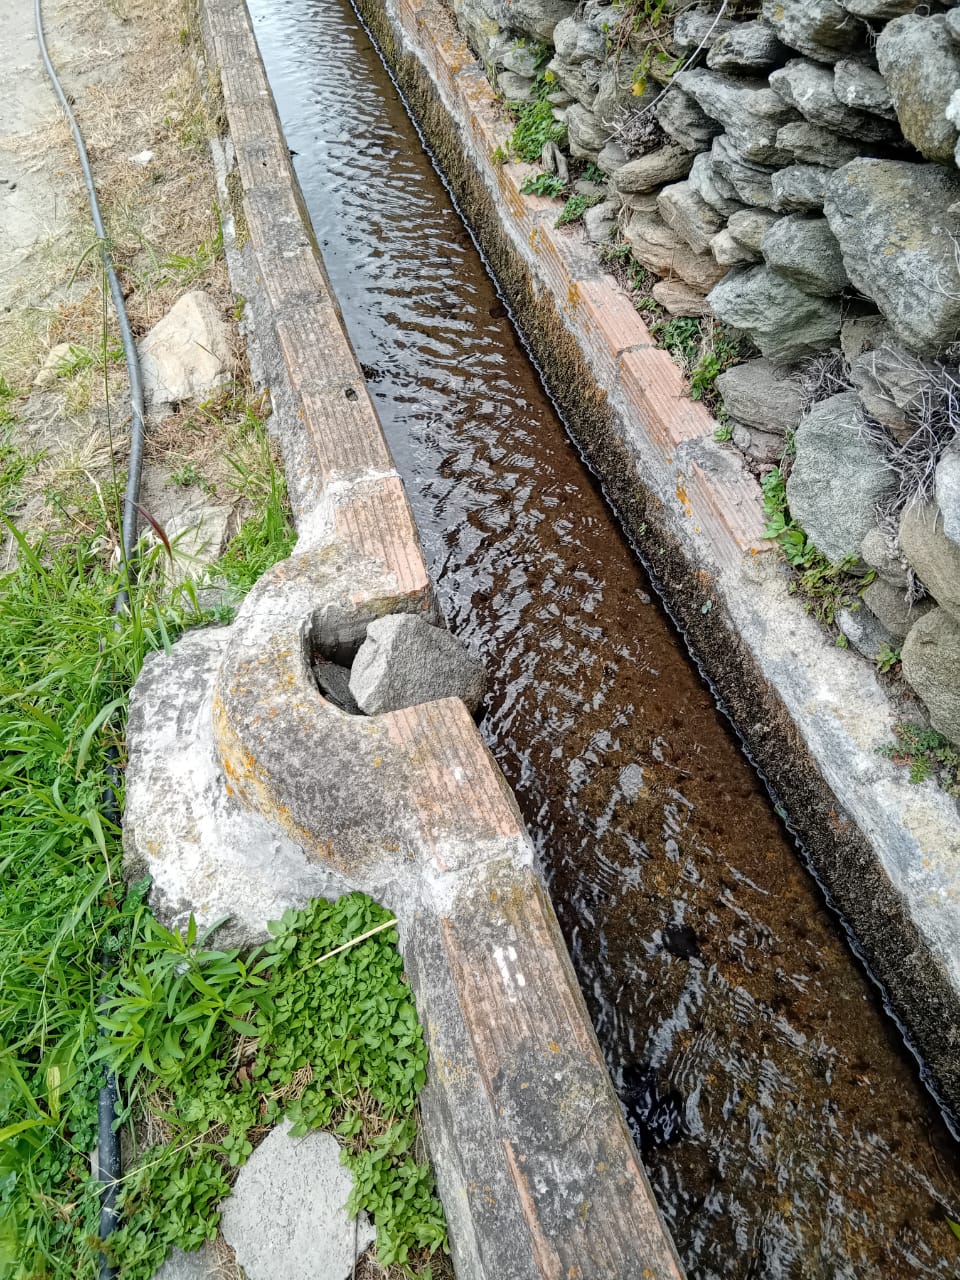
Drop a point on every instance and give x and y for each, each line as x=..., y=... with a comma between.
x=108, y=1142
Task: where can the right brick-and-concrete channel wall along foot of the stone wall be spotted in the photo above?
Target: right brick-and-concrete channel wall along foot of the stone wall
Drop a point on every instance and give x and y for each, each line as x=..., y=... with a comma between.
x=812, y=716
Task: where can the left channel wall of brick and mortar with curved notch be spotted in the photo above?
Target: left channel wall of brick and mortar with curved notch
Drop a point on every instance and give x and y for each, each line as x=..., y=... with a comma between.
x=248, y=792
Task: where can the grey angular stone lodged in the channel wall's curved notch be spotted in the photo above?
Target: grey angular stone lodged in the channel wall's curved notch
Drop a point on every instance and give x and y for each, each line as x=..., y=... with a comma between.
x=406, y=661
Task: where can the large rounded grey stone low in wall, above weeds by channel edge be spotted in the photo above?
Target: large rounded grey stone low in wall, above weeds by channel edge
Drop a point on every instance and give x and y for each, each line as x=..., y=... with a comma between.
x=838, y=478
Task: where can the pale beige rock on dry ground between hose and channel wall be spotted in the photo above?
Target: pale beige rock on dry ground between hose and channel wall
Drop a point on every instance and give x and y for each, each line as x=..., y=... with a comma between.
x=188, y=354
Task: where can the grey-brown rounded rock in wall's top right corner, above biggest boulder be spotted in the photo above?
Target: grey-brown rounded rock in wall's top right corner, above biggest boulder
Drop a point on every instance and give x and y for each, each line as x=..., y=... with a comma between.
x=921, y=65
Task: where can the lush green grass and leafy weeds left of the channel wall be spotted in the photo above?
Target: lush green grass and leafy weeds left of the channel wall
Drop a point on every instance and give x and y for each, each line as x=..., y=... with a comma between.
x=336, y=1044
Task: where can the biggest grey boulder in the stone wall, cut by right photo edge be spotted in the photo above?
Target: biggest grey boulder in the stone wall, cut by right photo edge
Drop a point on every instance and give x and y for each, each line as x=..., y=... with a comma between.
x=899, y=244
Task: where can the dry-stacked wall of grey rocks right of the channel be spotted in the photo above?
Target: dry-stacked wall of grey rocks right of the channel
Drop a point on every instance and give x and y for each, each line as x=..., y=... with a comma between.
x=793, y=175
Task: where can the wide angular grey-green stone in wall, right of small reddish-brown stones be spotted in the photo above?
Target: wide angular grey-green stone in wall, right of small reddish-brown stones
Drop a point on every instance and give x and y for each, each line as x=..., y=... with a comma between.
x=783, y=321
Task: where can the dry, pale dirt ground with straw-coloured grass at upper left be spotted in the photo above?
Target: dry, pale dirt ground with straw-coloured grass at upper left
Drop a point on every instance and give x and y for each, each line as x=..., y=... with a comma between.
x=131, y=71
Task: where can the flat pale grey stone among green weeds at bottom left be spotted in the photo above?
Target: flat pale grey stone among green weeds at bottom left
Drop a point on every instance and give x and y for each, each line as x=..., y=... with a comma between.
x=286, y=1218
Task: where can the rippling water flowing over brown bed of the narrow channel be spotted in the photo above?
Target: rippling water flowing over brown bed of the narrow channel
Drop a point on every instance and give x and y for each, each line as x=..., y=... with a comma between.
x=783, y=1124
